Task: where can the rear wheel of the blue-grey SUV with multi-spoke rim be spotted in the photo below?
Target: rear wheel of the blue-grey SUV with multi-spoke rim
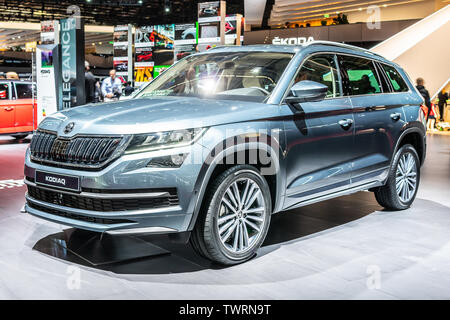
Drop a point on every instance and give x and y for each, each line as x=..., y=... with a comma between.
x=400, y=196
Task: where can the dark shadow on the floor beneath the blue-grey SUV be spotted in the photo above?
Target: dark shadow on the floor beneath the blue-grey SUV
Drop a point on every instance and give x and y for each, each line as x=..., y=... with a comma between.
x=155, y=254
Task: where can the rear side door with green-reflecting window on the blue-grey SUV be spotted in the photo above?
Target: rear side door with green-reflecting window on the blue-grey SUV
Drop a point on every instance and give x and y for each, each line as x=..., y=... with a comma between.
x=378, y=118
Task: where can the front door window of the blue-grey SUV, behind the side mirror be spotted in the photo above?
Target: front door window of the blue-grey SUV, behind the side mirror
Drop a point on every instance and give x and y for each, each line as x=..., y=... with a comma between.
x=322, y=69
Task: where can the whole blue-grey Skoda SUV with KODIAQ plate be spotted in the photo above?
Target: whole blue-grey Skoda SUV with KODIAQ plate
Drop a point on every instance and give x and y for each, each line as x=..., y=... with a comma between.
x=223, y=139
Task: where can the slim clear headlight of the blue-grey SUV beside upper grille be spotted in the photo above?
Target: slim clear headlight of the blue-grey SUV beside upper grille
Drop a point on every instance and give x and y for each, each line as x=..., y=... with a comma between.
x=163, y=140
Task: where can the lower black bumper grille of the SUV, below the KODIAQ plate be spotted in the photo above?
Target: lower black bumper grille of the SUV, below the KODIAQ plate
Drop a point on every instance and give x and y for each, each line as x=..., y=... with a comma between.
x=78, y=201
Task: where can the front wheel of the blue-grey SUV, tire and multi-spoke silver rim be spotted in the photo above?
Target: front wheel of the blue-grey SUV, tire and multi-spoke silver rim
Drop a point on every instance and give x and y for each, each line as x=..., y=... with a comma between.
x=252, y=213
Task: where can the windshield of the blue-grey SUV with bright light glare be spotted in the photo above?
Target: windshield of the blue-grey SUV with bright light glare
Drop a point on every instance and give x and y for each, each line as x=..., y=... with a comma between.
x=233, y=75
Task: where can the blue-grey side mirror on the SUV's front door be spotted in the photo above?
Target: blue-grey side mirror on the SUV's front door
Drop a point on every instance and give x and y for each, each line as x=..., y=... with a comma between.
x=307, y=91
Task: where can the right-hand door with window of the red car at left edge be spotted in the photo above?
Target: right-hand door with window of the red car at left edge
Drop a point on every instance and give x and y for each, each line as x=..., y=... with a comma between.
x=24, y=106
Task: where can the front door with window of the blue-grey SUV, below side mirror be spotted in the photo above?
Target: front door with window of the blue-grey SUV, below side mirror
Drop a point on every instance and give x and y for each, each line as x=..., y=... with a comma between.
x=319, y=136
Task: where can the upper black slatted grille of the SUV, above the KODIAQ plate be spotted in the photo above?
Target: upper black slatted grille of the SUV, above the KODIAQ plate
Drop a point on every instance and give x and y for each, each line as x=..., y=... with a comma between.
x=82, y=152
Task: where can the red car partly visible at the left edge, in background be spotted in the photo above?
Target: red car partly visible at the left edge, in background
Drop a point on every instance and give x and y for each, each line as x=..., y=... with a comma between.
x=18, y=112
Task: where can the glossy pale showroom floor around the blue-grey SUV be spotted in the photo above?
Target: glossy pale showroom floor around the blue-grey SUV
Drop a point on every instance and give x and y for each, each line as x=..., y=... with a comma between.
x=345, y=248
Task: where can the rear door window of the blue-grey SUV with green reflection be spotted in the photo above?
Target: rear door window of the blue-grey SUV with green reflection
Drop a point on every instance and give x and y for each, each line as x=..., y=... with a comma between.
x=362, y=75
